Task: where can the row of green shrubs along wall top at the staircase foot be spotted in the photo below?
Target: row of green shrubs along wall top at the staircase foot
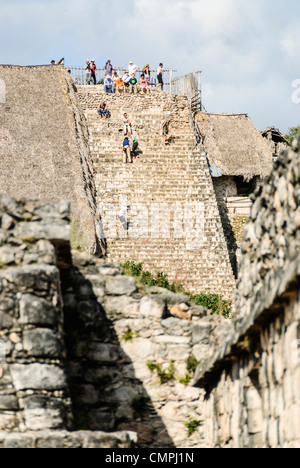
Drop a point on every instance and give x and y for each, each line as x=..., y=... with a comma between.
x=214, y=302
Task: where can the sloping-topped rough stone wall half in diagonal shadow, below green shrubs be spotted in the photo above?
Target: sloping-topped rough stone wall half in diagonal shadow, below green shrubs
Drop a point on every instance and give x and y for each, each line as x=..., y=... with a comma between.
x=114, y=332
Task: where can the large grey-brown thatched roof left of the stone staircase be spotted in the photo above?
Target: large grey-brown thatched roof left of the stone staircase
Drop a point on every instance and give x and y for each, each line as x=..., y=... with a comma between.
x=43, y=143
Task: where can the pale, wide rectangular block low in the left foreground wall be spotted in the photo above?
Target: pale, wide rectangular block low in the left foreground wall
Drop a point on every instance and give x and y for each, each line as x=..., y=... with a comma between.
x=38, y=377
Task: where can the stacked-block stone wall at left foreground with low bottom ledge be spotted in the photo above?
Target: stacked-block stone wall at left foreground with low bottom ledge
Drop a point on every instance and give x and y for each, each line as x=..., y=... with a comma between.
x=35, y=262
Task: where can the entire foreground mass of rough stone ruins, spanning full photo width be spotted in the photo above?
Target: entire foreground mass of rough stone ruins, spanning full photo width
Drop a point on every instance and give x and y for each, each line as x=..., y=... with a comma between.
x=95, y=378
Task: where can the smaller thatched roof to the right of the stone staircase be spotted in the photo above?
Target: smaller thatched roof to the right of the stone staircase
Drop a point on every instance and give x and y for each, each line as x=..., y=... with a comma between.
x=234, y=145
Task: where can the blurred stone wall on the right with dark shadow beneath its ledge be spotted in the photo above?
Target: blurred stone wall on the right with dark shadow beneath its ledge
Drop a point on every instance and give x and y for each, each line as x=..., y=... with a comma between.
x=252, y=379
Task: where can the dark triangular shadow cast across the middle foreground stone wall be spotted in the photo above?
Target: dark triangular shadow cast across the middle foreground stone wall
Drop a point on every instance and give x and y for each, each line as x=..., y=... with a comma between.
x=106, y=395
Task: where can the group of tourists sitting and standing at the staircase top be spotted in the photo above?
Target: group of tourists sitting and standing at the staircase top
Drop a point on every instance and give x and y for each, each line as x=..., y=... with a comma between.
x=114, y=83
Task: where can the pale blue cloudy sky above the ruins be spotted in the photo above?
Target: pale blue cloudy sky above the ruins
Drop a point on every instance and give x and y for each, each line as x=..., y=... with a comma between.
x=248, y=51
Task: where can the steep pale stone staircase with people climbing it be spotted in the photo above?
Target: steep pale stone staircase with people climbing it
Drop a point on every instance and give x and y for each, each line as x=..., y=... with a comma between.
x=173, y=175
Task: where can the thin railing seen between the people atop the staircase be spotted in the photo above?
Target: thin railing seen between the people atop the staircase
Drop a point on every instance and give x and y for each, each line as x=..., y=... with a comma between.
x=78, y=74
